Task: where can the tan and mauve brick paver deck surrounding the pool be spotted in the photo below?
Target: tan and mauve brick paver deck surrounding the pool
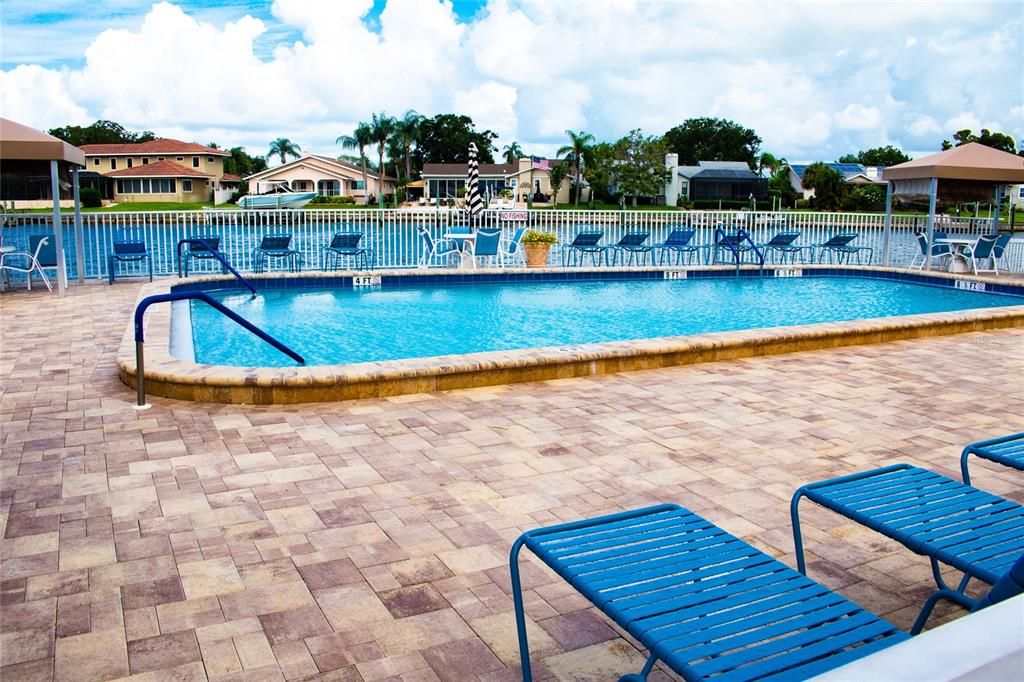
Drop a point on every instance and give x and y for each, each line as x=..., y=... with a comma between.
x=368, y=540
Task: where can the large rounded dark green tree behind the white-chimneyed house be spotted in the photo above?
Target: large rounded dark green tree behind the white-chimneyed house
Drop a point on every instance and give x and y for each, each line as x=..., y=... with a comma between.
x=713, y=140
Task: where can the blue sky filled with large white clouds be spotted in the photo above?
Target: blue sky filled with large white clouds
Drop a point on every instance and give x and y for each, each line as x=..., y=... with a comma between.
x=815, y=80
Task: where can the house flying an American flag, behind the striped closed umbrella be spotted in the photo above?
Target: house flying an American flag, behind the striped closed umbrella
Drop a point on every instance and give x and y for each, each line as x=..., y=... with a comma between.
x=529, y=176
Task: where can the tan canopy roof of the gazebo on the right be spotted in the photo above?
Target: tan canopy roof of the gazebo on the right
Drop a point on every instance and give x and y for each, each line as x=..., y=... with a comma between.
x=969, y=162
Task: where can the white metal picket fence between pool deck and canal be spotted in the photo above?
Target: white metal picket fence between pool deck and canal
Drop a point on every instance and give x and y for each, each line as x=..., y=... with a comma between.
x=393, y=234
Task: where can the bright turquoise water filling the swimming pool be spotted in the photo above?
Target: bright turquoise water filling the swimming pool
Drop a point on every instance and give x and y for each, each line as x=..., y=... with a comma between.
x=343, y=326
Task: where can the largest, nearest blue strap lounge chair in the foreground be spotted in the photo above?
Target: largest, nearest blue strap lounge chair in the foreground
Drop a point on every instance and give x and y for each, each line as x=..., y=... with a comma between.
x=703, y=602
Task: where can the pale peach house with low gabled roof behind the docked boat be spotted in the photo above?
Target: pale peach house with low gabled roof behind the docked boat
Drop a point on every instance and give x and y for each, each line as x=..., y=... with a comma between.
x=326, y=177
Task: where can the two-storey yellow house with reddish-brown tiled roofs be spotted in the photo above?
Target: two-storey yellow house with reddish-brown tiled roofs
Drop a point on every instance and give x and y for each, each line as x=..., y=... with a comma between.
x=160, y=170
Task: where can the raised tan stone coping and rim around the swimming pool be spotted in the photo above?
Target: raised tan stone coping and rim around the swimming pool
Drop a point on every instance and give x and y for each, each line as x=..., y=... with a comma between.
x=169, y=377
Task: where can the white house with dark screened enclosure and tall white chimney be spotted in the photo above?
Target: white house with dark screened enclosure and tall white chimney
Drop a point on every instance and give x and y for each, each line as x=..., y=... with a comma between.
x=713, y=181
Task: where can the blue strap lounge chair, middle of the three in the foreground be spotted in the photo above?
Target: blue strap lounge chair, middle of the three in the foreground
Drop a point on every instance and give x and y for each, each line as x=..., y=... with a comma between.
x=950, y=523
